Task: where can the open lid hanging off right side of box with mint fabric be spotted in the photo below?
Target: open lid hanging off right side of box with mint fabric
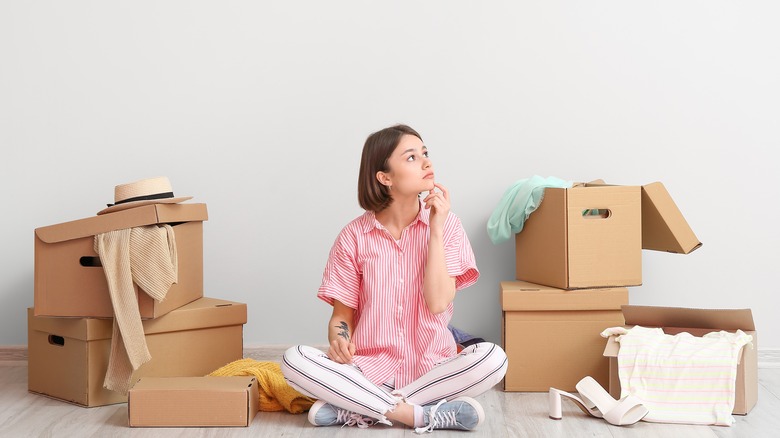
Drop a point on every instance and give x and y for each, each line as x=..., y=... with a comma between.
x=663, y=226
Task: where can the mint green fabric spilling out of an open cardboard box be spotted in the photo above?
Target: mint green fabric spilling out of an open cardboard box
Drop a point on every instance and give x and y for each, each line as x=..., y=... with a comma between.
x=518, y=202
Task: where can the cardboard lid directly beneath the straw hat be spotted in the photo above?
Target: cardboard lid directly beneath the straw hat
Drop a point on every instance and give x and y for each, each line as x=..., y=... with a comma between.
x=132, y=217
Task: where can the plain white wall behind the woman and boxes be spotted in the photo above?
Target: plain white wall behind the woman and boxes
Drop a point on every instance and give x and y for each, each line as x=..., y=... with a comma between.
x=260, y=109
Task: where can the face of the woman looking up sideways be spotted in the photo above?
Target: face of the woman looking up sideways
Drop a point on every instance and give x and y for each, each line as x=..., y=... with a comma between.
x=410, y=169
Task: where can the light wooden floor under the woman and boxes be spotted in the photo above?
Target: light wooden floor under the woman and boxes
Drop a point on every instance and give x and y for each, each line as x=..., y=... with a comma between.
x=23, y=414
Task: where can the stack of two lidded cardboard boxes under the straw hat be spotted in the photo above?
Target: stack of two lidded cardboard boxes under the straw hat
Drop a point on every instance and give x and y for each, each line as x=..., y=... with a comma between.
x=70, y=325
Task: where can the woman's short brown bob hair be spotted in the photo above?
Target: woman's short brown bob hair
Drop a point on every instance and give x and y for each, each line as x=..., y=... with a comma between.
x=373, y=195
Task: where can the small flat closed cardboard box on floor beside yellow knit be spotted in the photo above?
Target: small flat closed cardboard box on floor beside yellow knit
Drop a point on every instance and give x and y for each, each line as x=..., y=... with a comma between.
x=193, y=401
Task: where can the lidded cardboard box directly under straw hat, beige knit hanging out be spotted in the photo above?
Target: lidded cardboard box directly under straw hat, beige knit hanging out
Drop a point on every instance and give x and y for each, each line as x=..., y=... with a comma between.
x=69, y=279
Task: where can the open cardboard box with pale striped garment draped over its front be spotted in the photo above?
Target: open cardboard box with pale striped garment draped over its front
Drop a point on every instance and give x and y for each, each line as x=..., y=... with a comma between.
x=697, y=322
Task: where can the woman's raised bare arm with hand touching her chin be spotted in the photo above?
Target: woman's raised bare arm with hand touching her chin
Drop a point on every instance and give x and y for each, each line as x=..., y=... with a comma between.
x=438, y=286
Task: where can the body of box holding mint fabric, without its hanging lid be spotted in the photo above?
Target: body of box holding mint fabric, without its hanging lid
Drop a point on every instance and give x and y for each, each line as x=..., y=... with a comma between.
x=564, y=248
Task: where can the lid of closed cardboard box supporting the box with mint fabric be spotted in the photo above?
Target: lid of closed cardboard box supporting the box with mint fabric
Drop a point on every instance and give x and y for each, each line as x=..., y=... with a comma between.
x=525, y=296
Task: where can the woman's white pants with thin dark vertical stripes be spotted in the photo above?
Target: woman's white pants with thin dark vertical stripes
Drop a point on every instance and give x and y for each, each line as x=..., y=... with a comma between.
x=473, y=371
